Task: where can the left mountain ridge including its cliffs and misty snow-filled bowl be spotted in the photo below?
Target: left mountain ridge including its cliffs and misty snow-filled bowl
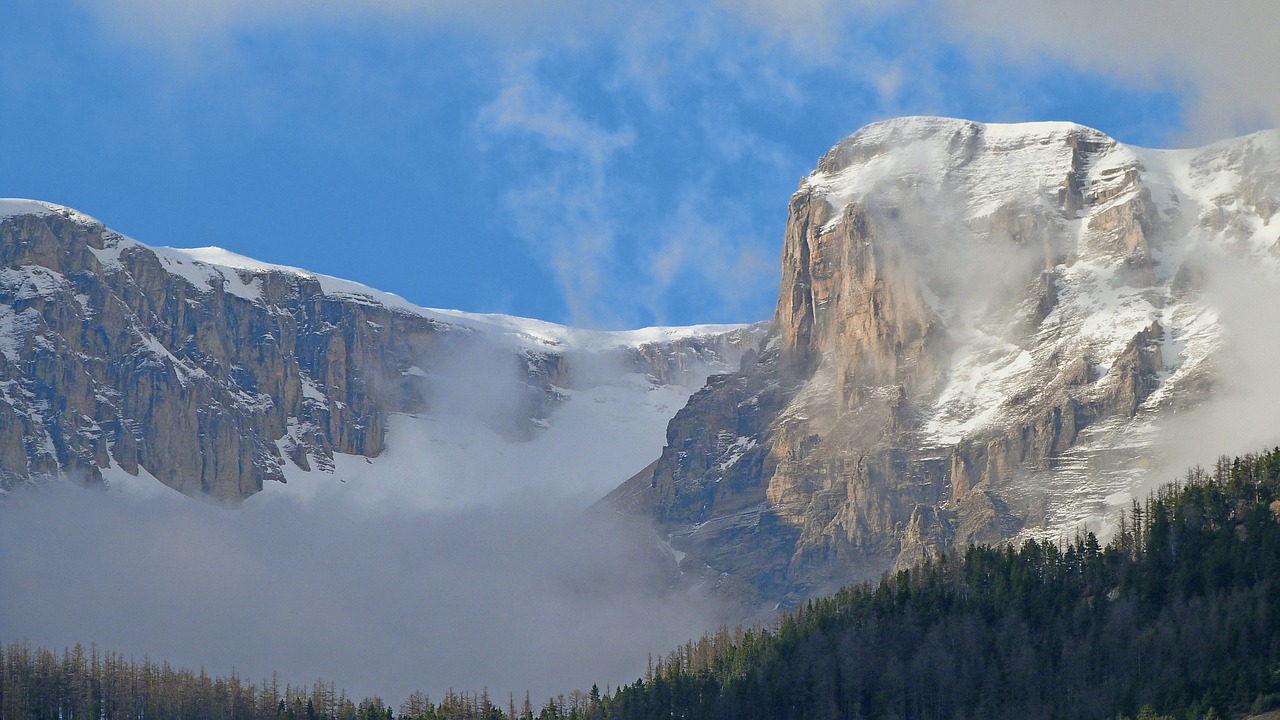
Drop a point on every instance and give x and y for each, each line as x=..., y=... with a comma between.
x=217, y=376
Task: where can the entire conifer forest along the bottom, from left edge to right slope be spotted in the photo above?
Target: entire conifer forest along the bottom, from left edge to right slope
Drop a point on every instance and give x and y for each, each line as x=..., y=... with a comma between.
x=1178, y=617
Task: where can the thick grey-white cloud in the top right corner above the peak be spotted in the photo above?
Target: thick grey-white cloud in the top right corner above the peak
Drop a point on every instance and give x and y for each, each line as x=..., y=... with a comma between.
x=1222, y=53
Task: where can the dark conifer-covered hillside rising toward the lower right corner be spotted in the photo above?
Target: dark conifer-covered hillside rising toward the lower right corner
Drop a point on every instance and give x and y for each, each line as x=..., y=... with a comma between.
x=1181, y=613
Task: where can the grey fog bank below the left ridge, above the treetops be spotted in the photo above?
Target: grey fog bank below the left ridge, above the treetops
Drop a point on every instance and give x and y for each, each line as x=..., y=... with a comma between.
x=502, y=598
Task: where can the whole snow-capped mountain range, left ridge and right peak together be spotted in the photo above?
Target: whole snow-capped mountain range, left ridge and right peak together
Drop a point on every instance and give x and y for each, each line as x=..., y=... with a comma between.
x=982, y=332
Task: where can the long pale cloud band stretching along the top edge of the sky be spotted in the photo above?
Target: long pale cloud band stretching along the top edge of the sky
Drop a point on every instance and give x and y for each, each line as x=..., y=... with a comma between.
x=1218, y=53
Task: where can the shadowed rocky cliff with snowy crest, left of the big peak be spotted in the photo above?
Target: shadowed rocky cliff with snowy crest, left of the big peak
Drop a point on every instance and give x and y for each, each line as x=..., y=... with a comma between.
x=216, y=373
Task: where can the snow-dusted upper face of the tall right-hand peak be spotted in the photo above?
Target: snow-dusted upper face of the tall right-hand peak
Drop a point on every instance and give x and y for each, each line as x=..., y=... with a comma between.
x=1136, y=252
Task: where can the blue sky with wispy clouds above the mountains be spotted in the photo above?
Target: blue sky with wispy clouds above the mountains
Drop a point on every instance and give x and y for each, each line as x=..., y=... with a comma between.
x=600, y=165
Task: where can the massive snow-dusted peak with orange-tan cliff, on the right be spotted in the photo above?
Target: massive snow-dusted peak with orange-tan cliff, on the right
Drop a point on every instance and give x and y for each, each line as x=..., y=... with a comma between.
x=981, y=334
